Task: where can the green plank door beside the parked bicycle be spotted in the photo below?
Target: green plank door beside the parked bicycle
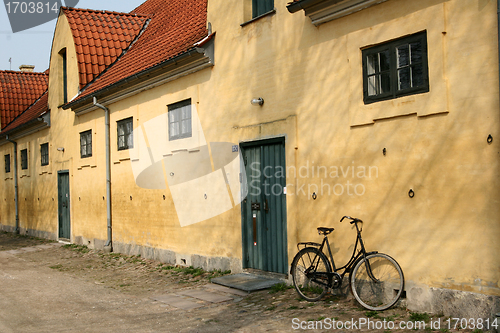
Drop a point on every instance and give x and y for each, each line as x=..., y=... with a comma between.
x=264, y=234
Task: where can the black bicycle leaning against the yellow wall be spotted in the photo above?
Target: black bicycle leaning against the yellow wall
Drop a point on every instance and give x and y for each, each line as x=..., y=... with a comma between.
x=376, y=279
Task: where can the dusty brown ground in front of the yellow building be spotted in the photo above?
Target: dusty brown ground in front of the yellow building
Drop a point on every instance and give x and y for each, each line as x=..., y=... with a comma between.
x=48, y=287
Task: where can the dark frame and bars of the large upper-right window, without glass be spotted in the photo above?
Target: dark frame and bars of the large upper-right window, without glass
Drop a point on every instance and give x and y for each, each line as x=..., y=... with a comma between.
x=392, y=46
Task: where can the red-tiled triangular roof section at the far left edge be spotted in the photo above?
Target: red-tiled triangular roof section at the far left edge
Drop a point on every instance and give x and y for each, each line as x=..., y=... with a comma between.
x=18, y=90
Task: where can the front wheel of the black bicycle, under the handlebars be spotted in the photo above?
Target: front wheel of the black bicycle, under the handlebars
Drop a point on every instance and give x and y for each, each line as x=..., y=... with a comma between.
x=377, y=282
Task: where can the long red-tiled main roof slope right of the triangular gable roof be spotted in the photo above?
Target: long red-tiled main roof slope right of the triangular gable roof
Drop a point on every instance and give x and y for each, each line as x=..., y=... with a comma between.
x=175, y=26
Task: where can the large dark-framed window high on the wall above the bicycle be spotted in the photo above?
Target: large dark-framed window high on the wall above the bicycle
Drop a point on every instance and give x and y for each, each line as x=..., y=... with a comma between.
x=394, y=69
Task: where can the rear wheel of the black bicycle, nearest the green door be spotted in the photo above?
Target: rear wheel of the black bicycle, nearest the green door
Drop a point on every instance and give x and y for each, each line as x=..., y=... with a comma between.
x=310, y=269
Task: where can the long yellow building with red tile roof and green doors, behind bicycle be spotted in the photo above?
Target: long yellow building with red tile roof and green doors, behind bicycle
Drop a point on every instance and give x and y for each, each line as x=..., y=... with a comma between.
x=171, y=127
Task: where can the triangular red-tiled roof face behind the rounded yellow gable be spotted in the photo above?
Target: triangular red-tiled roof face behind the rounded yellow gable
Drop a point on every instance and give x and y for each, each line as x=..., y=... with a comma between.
x=100, y=38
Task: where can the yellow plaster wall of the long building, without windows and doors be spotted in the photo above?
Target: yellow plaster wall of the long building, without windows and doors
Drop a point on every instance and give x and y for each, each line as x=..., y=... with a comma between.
x=311, y=80
